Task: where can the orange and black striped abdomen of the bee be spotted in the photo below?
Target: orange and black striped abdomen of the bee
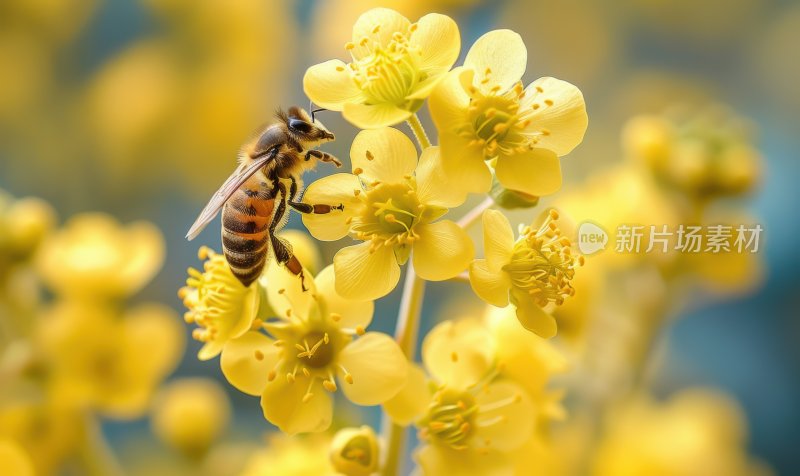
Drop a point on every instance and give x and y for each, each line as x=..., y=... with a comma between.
x=246, y=218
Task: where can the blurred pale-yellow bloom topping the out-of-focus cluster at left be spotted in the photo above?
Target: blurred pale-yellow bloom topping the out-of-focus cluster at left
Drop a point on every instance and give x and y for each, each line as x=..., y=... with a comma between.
x=93, y=256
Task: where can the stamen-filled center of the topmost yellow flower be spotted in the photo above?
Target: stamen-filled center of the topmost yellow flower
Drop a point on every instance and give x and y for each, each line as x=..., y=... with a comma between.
x=389, y=72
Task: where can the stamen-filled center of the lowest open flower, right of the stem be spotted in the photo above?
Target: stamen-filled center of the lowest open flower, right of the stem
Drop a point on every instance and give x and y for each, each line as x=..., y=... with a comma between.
x=451, y=418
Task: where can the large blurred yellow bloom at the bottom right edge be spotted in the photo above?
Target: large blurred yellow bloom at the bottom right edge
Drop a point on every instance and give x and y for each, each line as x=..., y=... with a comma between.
x=697, y=432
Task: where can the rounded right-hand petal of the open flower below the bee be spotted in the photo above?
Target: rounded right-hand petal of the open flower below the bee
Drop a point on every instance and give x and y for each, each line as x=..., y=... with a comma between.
x=378, y=367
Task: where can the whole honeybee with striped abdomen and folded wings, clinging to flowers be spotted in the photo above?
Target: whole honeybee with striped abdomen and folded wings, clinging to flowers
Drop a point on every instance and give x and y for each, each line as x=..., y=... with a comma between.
x=255, y=197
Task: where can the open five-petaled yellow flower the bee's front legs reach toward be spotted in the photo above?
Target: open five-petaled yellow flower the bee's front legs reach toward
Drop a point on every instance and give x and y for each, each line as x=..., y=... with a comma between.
x=392, y=204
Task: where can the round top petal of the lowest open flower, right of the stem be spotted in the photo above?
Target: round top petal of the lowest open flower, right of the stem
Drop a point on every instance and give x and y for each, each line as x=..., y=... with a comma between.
x=458, y=353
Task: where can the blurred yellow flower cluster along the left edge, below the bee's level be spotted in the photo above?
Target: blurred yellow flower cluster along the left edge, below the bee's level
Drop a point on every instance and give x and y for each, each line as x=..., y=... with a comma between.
x=81, y=355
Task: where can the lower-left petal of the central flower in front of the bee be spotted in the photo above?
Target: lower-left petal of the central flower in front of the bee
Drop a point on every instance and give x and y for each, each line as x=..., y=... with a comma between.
x=361, y=275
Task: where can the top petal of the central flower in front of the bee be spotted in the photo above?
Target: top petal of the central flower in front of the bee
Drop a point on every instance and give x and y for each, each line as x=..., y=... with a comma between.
x=386, y=155
